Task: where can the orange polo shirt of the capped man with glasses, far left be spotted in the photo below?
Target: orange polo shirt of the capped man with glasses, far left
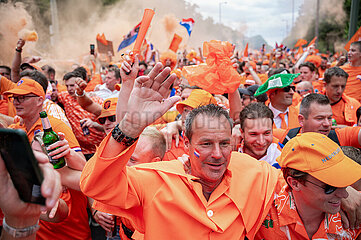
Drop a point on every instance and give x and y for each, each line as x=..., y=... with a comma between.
x=57, y=125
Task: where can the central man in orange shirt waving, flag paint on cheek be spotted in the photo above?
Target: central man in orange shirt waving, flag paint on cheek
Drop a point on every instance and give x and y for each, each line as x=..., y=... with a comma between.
x=219, y=195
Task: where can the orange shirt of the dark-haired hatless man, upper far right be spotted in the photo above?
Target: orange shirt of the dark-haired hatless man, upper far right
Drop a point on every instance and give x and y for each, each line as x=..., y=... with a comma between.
x=344, y=112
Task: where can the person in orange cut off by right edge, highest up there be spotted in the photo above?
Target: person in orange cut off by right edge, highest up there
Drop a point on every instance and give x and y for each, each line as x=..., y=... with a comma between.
x=353, y=68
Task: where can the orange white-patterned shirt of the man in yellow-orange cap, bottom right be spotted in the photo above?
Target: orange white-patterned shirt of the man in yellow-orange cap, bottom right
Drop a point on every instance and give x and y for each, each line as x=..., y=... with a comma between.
x=284, y=223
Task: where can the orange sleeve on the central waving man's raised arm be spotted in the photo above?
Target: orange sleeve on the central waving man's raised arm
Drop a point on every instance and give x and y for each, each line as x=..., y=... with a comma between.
x=117, y=189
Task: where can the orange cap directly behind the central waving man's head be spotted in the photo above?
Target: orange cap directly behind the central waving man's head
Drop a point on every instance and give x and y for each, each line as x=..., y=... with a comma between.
x=197, y=98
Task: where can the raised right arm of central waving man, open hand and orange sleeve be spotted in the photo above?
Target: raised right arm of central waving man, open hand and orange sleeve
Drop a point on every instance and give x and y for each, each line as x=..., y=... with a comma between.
x=146, y=103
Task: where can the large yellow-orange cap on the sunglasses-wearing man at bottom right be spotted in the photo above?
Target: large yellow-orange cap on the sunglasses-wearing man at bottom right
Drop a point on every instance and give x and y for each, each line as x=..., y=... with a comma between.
x=322, y=158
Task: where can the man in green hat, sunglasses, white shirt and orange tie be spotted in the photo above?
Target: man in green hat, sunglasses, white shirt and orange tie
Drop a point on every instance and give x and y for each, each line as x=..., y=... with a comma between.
x=280, y=92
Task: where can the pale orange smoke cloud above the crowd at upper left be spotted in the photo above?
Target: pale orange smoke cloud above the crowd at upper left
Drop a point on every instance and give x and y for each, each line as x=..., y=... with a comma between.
x=80, y=21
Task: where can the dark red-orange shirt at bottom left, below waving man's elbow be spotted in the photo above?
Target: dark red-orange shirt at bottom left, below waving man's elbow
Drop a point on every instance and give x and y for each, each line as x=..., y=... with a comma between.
x=75, y=226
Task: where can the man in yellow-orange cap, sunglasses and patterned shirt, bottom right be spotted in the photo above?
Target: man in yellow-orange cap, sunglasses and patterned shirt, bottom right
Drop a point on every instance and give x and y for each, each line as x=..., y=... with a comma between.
x=317, y=174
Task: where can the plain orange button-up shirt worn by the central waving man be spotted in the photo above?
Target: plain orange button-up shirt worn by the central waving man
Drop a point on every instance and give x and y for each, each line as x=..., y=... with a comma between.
x=166, y=203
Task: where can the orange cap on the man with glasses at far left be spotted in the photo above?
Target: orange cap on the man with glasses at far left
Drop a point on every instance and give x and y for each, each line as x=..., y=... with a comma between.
x=27, y=86
